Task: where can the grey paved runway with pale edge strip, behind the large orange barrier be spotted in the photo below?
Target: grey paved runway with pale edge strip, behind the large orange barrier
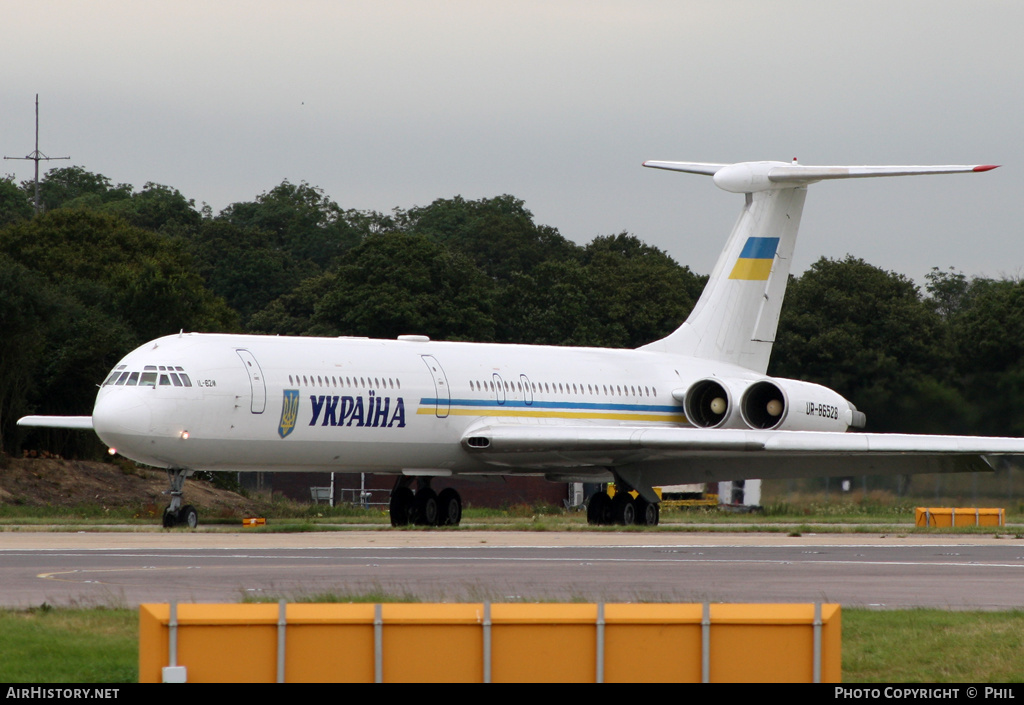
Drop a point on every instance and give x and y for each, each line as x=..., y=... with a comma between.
x=883, y=572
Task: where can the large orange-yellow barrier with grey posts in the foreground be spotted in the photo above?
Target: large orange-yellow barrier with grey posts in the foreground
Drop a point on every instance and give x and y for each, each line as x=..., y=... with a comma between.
x=485, y=643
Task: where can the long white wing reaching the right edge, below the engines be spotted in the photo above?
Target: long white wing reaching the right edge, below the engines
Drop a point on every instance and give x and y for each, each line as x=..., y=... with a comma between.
x=679, y=455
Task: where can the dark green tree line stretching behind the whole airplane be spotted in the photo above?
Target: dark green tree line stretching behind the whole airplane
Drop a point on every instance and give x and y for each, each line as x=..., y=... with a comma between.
x=105, y=268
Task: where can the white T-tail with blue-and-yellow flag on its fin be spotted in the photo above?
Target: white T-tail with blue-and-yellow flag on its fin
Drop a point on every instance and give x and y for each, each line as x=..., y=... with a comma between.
x=737, y=317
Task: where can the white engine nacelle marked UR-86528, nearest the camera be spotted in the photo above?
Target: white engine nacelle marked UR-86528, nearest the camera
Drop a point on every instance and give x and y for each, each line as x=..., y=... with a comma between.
x=792, y=405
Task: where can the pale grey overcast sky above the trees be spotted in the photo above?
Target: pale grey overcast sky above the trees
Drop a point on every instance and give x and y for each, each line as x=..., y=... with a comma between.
x=391, y=104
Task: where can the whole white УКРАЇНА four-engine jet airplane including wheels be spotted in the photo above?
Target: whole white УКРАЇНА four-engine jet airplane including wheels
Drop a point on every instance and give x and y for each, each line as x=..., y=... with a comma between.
x=697, y=406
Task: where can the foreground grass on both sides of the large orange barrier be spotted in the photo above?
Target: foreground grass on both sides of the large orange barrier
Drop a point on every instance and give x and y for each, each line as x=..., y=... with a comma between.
x=101, y=645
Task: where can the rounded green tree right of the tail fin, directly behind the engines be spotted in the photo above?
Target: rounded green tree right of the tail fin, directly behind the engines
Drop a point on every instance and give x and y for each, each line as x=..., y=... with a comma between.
x=869, y=335
